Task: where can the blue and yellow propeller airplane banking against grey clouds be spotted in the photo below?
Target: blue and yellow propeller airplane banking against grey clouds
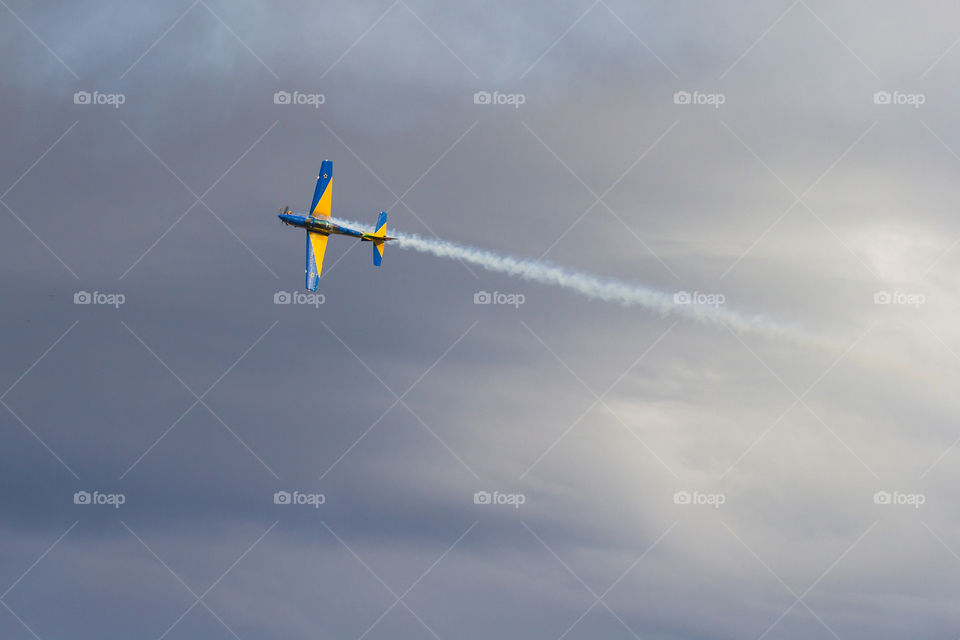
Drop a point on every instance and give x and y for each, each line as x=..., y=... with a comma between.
x=319, y=227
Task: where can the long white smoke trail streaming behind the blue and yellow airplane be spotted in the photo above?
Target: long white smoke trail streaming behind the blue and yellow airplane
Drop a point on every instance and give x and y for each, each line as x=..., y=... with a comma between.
x=605, y=289
